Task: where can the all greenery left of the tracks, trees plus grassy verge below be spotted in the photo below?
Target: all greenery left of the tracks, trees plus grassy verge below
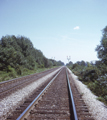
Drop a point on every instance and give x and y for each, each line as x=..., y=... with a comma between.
x=18, y=57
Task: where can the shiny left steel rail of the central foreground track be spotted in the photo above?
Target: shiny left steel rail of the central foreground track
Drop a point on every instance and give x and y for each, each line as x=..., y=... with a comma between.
x=27, y=110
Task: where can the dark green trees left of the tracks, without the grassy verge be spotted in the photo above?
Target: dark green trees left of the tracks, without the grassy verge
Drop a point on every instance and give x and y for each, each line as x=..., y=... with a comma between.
x=19, y=52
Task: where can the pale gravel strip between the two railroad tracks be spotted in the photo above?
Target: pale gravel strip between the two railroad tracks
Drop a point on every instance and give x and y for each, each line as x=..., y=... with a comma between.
x=9, y=103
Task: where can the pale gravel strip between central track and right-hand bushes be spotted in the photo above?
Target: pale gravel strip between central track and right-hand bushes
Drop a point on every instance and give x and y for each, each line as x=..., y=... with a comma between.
x=96, y=108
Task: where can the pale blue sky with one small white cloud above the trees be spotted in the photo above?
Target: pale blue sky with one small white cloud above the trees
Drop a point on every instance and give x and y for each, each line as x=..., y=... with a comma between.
x=59, y=28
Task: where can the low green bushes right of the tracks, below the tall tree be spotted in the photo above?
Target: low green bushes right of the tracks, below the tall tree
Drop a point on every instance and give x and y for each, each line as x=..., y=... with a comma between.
x=93, y=77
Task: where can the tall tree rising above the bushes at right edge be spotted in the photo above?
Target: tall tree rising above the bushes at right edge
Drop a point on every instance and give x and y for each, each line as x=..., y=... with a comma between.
x=102, y=48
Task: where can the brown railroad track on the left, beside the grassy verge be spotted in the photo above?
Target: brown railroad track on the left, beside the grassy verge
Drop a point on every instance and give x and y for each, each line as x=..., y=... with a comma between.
x=10, y=86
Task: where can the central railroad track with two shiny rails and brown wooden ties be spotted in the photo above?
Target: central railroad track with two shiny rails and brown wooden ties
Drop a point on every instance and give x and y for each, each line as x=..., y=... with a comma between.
x=54, y=101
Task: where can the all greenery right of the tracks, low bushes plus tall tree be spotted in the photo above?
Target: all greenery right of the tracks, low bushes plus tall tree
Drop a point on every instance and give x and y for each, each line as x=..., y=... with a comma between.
x=94, y=74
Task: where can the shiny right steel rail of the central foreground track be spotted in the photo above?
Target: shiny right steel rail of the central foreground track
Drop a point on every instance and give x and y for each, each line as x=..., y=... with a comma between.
x=71, y=98
